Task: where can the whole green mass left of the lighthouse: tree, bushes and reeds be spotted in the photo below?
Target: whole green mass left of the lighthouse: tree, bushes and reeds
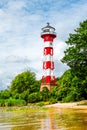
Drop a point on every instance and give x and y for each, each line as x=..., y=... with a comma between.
x=24, y=87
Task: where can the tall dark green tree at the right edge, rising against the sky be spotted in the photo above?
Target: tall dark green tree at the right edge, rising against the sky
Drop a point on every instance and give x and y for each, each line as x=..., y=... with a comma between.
x=76, y=55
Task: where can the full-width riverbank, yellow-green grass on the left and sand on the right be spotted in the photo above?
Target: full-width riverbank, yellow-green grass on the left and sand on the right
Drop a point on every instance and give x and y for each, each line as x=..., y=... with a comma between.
x=35, y=106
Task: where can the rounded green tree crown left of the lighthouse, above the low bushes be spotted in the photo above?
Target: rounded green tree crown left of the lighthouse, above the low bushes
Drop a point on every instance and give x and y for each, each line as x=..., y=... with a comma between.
x=23, y=82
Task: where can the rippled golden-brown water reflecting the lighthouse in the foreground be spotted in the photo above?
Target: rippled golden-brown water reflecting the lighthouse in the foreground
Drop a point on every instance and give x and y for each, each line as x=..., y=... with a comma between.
x=40, y=119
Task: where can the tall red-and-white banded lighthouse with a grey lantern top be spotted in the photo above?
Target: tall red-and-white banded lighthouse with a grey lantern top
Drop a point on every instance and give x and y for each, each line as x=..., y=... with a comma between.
x=48, y=79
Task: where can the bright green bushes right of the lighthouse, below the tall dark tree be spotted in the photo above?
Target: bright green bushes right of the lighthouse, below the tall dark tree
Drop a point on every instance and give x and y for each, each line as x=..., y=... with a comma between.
x=70, y=88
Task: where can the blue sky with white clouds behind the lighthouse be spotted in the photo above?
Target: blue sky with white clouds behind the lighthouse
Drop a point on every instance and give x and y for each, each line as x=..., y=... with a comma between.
x=21, y=47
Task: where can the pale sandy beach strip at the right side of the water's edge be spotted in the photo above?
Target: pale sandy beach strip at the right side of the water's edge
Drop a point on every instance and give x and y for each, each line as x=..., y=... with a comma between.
x=75, y=105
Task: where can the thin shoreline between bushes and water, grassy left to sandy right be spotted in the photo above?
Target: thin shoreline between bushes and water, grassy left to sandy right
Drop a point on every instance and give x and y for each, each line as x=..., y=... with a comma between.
x=73, y=105
